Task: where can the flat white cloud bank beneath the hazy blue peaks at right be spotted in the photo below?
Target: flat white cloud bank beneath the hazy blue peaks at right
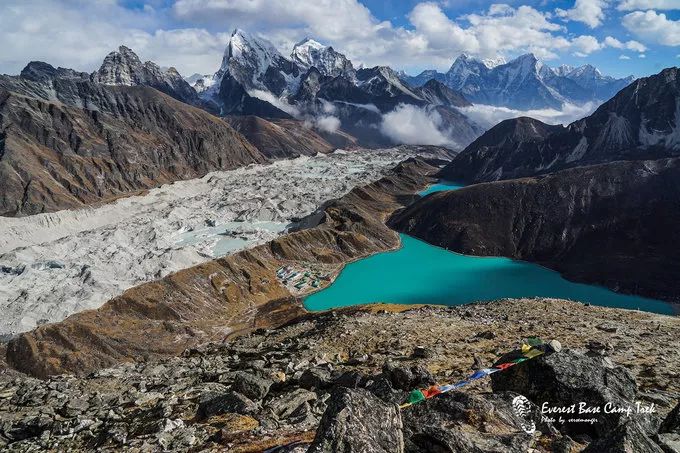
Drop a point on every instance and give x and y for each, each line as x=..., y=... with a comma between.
x=488, y=115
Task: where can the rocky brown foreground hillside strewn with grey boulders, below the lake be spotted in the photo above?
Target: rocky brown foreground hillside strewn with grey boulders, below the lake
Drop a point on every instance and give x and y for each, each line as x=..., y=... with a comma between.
x=332, y=382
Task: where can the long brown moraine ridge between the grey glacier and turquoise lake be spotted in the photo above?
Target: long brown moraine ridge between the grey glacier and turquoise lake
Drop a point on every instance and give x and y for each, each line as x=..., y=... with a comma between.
x=223, y=297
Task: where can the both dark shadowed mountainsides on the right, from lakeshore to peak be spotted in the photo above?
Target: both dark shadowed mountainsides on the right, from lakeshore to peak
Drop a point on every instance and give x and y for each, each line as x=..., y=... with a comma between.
x=598, y=200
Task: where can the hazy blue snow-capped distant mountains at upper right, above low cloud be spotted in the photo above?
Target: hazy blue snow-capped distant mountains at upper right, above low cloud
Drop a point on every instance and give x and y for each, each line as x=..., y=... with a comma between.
x=523, y=83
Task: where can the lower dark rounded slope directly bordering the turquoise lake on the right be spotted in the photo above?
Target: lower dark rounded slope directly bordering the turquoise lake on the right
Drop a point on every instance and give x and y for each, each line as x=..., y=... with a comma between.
x=613, y=224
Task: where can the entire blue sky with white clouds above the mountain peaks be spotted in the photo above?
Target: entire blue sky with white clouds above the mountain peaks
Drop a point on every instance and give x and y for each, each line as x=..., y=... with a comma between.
x=621, y=37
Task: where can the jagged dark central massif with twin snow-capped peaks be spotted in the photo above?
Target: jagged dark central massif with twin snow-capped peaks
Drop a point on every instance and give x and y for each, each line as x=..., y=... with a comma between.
x=316, y=82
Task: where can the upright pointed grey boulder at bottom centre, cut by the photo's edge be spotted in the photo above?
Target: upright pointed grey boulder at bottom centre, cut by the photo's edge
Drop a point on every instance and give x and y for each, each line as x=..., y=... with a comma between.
x=357, y=421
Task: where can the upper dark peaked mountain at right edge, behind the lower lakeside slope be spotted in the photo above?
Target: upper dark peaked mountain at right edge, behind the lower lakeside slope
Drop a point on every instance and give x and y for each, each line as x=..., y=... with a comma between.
x=640, y=122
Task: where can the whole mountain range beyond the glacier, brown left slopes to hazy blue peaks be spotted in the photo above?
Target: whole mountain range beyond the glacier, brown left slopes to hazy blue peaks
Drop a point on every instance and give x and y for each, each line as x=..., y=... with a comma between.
x=71, y=138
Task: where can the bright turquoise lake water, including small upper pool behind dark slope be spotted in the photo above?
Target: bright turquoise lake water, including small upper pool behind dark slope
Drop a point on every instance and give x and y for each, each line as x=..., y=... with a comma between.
x=420, y=273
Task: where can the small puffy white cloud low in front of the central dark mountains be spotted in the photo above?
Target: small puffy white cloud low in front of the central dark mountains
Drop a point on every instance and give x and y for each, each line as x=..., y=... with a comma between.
x=413, y=125
